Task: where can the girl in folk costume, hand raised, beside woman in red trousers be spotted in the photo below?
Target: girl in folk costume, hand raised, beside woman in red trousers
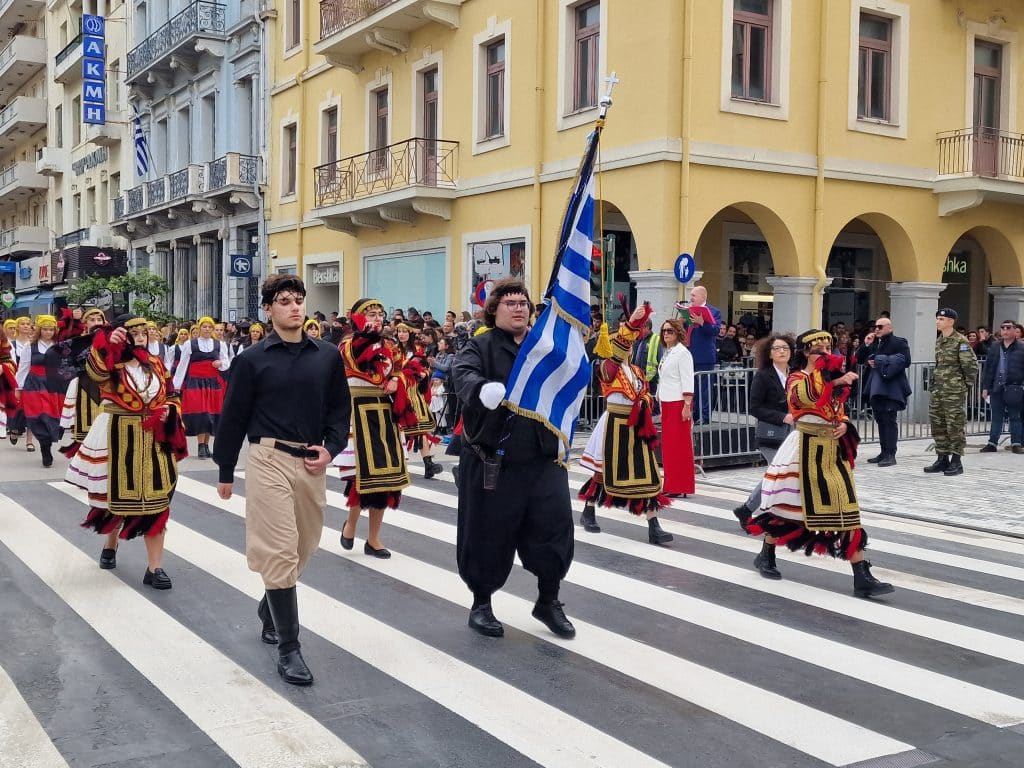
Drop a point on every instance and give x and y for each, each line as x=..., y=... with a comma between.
x=621, y=450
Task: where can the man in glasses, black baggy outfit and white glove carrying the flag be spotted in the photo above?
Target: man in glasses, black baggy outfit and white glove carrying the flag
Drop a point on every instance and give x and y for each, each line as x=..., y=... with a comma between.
x=514, y=494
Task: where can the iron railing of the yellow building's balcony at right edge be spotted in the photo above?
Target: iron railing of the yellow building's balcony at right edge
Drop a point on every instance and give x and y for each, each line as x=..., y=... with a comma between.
x=982, y=152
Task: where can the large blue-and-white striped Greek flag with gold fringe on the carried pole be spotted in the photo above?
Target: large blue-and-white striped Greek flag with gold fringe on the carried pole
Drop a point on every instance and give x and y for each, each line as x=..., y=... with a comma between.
x=551, y=372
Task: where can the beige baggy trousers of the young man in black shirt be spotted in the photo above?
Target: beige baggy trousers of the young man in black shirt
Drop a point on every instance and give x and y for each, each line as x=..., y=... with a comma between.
x=284, y=515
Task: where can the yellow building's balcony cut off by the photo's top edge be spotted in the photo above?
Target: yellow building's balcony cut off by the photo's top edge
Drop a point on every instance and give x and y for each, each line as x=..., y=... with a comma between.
x=351, y=29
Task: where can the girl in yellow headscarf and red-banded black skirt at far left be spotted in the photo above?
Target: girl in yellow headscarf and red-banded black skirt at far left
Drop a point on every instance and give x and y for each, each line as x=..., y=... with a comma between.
x=41, y=396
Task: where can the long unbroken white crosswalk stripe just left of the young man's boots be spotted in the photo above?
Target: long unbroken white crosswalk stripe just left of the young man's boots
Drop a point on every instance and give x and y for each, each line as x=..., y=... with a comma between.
x=250, y=722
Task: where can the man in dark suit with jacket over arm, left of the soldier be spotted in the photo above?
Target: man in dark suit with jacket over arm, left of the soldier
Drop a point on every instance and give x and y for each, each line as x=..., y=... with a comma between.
x=888, y=358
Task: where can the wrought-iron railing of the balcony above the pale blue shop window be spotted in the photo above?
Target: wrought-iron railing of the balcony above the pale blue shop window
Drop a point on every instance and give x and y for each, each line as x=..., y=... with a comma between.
x=416, y=162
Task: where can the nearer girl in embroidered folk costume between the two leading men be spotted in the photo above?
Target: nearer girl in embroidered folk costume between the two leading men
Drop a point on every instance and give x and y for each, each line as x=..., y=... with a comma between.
x=374, y=462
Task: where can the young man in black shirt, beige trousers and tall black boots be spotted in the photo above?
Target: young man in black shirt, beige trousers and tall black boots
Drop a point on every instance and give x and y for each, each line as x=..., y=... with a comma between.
x=289, y=397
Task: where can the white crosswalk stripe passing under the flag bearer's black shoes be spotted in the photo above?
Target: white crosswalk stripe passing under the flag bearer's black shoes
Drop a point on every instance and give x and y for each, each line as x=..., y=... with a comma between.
x=823, y=736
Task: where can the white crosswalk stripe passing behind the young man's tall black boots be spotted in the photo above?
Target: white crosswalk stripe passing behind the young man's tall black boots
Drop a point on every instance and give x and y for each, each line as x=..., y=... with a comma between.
x=531, y=727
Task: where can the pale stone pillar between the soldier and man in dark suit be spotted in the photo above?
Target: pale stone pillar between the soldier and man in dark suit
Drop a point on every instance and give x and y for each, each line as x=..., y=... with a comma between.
x=914, y=308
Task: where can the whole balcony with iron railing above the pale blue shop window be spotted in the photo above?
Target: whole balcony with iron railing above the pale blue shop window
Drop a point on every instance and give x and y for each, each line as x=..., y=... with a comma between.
x=393, y=184
